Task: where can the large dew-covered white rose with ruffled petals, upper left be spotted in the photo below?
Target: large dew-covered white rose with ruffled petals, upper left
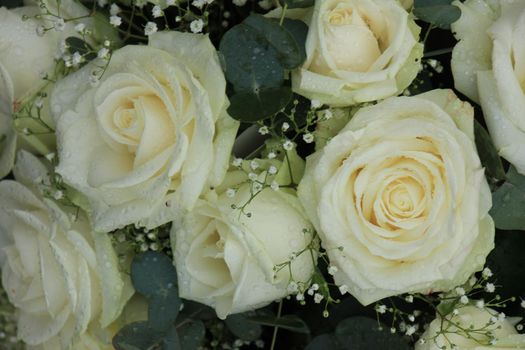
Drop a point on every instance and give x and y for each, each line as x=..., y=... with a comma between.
x=150, y=136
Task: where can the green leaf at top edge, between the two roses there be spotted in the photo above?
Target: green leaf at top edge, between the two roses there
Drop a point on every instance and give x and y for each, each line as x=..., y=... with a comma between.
x=437, y=12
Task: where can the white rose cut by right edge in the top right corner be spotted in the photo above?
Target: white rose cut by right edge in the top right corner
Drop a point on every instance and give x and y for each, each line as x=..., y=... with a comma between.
x=489, y=66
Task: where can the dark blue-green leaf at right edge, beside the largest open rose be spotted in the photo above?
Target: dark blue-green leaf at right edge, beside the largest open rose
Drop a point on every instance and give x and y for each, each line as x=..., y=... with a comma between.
x=508, y=203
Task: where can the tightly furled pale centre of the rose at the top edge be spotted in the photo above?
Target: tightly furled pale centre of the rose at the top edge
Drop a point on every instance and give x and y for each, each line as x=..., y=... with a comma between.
x=350, y=40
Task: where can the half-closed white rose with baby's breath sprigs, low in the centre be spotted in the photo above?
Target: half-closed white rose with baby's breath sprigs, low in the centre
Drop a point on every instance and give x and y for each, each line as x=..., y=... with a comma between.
x=225, y=258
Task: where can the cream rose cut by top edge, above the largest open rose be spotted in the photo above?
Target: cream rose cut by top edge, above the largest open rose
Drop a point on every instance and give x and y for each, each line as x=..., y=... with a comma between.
x=358, y=51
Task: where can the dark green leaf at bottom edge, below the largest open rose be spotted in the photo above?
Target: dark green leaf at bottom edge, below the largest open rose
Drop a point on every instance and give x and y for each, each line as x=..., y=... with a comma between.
x=362, y=333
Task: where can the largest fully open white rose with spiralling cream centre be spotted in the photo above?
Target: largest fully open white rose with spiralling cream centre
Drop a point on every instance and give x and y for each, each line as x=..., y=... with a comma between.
x=401, y=190
